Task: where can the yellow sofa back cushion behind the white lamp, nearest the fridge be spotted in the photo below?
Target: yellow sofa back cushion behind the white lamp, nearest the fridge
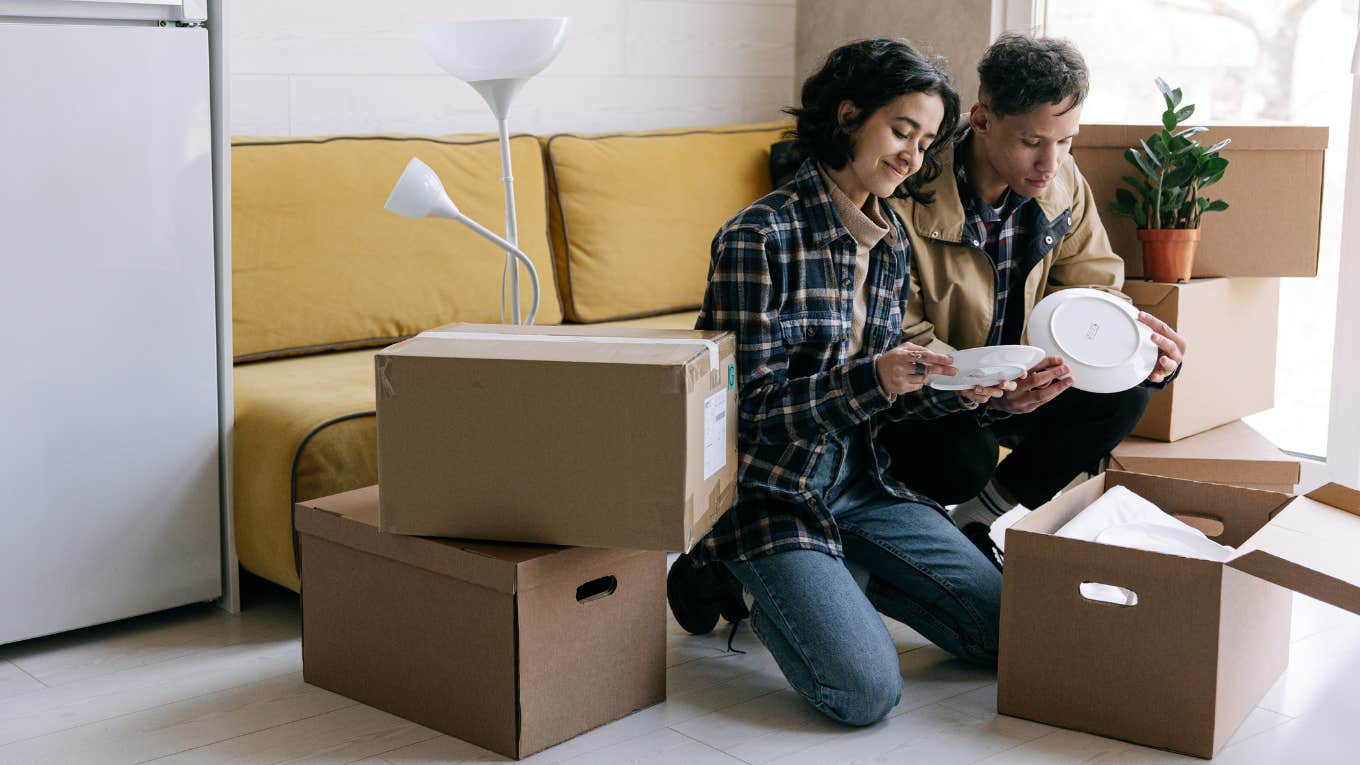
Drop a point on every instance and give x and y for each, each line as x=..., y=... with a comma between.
x=318, y=263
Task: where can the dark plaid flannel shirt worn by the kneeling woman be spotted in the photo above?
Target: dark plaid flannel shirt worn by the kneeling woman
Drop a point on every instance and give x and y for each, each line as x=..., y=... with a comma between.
x=781, y=278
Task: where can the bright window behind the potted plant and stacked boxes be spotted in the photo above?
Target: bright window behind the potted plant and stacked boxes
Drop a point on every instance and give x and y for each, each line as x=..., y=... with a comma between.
x=1241, y=61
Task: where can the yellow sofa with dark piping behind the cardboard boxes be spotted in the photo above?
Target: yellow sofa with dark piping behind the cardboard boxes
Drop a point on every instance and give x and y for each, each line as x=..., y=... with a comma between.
x=618, y=225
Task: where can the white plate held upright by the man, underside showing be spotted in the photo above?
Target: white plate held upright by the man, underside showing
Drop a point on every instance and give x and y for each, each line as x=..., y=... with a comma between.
x=1100, y=337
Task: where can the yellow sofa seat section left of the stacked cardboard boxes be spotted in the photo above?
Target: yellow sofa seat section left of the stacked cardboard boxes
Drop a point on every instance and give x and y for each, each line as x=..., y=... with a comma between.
x=304, y=429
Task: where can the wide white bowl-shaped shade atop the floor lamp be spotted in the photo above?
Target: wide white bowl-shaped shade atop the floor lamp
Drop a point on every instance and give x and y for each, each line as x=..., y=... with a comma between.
x=497, y=50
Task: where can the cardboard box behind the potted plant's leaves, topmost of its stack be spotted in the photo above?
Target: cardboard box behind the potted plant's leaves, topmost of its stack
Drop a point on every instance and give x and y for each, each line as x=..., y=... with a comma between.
x=1274, y=189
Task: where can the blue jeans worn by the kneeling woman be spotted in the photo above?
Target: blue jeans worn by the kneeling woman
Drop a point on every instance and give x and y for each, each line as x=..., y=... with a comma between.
x=826, y=634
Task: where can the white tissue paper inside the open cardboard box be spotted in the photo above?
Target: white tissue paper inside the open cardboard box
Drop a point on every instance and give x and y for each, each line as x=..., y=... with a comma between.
x=1125, y=519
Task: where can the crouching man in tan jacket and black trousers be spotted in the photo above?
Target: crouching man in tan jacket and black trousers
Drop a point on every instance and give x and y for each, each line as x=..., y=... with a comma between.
x=1014, y=223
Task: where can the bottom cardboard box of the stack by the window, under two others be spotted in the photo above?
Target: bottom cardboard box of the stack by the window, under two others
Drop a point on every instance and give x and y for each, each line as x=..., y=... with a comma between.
x=1231, y=454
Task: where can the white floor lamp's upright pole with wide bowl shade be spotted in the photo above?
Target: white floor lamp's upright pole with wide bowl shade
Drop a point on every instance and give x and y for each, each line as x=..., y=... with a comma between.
x=497, y=58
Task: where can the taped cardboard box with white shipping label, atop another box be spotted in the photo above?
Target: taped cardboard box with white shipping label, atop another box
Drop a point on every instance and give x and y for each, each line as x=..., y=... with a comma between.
x=558, y=435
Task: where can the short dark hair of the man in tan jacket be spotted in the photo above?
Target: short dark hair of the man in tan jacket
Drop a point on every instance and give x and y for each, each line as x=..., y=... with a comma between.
x=1019, y=73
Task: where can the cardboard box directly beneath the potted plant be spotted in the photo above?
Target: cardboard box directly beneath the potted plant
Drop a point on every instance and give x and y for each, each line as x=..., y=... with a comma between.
x=1231, y=327
